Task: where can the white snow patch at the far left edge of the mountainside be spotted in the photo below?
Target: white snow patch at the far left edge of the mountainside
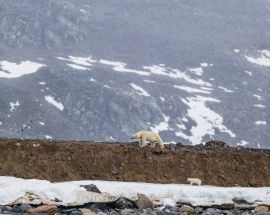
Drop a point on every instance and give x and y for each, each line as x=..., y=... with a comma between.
x=13, y=70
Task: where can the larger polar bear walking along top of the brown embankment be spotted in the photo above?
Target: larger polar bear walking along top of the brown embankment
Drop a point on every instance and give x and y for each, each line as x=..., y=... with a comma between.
x=150, y=136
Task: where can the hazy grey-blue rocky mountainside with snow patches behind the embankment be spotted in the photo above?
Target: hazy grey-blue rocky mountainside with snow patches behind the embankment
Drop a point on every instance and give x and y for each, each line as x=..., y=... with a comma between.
x=102, y=70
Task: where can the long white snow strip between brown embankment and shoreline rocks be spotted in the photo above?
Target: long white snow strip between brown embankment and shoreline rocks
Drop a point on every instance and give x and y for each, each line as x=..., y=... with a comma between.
x=70, y=193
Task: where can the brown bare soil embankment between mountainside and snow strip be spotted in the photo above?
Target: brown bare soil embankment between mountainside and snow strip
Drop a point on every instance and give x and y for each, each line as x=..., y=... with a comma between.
x=70, y=160
